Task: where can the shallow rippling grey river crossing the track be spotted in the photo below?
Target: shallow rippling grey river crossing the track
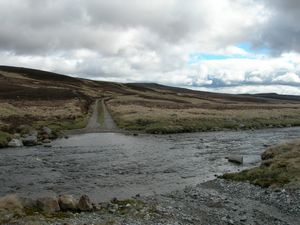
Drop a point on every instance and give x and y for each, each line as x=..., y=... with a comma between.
x=108, y=165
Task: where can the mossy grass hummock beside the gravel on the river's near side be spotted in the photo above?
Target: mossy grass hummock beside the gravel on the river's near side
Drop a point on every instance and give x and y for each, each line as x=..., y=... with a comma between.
x=280, y=167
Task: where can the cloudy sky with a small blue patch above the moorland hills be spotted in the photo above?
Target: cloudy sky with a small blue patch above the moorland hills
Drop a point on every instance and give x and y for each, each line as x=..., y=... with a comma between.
x=232, y=46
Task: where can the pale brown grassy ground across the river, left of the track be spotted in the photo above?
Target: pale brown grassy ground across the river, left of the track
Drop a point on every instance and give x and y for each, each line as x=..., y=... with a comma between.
x=22, y=117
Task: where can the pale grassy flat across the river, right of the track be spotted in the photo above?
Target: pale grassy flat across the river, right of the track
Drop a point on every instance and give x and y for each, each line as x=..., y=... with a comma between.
x=162, y=116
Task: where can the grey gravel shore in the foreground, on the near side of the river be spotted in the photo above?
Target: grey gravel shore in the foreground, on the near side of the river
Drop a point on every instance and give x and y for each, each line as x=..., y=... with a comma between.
x=214, y=202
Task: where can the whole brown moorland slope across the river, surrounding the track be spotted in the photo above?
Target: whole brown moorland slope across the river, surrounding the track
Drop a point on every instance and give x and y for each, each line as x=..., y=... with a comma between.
x=30, y=99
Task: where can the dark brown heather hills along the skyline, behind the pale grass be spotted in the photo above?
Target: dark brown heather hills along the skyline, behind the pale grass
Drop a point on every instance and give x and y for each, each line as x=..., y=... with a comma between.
x=18, y=82
